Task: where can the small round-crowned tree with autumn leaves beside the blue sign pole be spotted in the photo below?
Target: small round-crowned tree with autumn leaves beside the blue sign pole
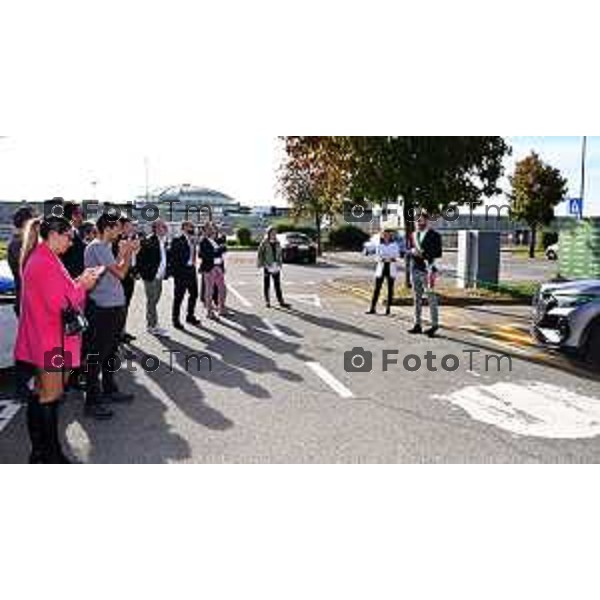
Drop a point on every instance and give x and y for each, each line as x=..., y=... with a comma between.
x=537, y=188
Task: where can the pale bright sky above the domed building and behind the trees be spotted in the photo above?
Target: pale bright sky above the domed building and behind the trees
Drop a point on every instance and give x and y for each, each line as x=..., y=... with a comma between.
x=243, y=166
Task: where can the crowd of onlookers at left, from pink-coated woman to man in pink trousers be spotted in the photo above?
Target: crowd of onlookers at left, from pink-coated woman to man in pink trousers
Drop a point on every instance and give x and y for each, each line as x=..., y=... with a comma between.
x=74, y=287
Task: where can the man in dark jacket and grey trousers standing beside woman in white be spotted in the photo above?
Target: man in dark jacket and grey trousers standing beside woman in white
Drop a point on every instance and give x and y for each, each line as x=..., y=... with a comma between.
x=425, y=247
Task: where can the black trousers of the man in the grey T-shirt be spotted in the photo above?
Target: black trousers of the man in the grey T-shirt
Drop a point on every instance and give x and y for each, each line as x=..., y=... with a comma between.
x=101, y=344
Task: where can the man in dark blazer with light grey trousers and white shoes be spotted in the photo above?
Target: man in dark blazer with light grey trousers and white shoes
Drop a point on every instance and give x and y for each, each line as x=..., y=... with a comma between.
x=152, y=267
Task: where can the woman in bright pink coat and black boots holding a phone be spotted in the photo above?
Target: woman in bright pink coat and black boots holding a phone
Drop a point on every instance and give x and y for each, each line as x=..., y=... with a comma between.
x=47, y=289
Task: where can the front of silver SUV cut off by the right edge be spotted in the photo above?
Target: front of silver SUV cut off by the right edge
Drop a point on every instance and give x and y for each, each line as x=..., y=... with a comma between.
x=566, y=316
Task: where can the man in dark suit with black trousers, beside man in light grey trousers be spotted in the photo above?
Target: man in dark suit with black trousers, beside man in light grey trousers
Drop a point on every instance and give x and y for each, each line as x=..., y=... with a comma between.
x=183, y=260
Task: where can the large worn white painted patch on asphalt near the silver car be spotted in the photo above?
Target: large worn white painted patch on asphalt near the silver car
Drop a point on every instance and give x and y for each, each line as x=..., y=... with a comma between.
x=530, y=409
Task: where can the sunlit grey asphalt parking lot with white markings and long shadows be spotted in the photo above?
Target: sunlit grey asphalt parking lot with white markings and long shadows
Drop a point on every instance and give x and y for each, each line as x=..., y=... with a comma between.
x=278, y=390
